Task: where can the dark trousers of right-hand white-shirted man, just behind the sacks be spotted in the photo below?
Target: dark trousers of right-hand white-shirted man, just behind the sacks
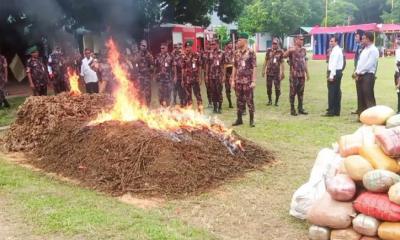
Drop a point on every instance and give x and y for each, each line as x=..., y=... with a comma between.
x=367, y=95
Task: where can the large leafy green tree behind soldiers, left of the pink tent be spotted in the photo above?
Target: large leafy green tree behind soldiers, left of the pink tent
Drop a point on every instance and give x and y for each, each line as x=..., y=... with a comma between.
x=279, y=17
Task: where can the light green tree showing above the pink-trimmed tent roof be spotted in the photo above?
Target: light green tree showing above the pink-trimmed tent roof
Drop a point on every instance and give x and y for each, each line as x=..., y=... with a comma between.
x=340, y=12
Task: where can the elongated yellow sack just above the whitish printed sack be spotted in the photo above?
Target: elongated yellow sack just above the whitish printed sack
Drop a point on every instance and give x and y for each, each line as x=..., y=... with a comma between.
x=378, y=159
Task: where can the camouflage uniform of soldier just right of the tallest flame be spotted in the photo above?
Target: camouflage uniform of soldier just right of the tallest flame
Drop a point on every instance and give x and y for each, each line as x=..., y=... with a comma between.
x=144, y=63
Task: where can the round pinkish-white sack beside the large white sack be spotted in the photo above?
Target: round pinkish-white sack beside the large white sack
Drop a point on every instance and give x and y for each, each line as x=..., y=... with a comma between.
x=341, y=187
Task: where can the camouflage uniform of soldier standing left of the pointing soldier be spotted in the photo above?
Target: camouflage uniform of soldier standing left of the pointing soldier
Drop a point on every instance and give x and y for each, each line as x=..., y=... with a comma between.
x=274, y=59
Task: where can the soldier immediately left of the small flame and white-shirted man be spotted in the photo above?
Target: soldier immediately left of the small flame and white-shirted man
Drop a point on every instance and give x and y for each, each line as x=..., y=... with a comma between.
x=57, y=70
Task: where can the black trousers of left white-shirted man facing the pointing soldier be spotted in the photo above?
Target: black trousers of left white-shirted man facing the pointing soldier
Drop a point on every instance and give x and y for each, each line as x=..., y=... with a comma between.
x=335, y=93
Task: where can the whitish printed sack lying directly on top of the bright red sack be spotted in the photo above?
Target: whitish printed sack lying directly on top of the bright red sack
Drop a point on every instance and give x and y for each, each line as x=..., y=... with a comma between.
x=380, y=180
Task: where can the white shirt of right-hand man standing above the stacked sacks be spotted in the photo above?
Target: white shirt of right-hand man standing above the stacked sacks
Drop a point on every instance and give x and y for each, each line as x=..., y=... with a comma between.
x=368, y=61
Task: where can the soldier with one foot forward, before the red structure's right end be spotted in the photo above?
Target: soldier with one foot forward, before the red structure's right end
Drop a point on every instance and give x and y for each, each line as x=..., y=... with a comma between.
x=191, y=70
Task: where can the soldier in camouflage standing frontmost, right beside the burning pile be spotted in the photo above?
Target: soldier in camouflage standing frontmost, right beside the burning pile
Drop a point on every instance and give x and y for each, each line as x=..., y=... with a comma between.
x=244, y=79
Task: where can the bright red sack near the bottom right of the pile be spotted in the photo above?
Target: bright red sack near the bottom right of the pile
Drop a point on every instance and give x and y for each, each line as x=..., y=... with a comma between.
x=377, y=205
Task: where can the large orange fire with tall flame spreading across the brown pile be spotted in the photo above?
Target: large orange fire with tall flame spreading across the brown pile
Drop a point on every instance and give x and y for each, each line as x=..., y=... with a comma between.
x=127, y=107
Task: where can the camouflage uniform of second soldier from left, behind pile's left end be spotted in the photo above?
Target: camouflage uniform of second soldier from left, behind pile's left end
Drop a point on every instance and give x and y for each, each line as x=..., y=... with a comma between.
x=39, y=76
